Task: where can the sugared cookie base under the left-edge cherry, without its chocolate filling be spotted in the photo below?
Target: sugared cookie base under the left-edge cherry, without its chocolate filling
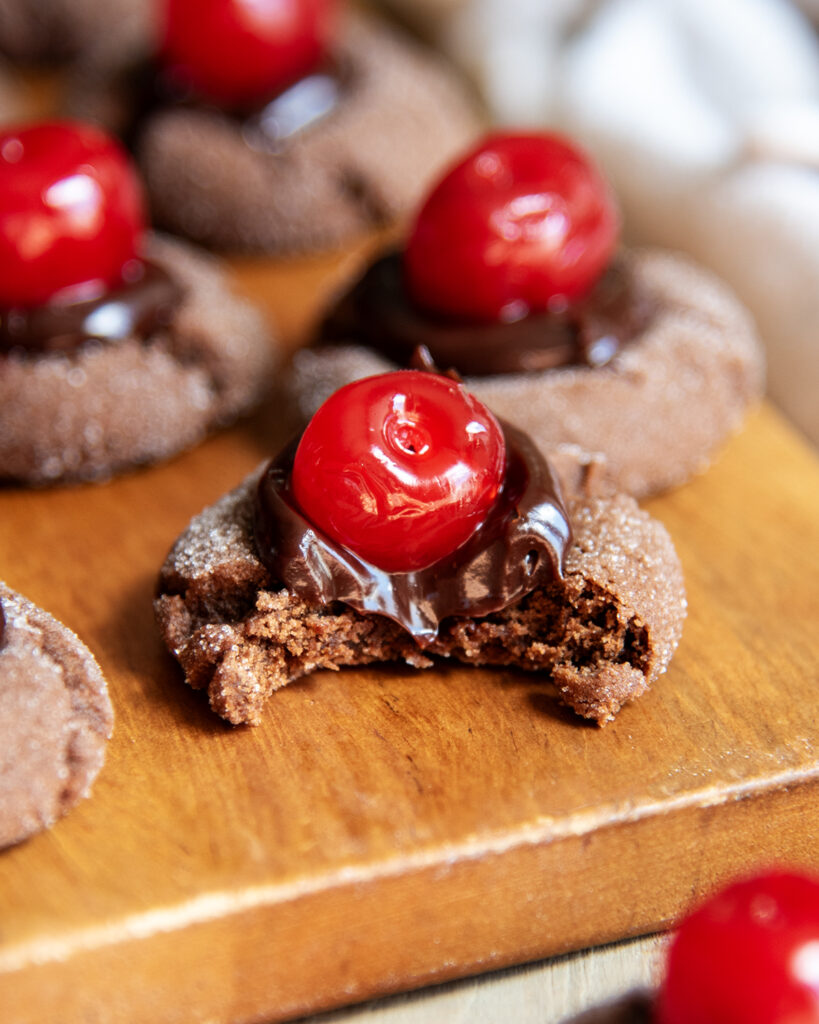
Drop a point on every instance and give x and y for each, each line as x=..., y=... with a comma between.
x=107, y=407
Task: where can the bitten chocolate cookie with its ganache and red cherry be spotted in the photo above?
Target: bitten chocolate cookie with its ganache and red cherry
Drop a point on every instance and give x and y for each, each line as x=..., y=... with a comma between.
x=407, y=525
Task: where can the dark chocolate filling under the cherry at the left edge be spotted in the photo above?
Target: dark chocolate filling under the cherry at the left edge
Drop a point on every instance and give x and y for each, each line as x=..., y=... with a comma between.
x=136, y=310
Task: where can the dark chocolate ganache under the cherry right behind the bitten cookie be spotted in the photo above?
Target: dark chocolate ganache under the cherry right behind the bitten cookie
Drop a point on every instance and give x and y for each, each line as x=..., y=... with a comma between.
x=379, y=313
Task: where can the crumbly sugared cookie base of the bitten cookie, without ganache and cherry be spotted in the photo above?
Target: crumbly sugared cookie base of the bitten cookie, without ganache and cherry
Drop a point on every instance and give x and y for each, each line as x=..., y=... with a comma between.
x=604, y=634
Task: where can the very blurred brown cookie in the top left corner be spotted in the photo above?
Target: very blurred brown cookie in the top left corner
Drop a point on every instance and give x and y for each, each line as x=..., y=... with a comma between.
x=60, y=30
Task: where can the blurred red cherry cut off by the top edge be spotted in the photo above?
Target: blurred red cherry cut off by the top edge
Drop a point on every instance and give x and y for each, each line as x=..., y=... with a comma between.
x=240, y=53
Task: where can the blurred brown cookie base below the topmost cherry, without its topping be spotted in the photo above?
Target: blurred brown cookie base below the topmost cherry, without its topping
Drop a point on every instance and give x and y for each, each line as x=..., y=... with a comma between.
x=402, y=116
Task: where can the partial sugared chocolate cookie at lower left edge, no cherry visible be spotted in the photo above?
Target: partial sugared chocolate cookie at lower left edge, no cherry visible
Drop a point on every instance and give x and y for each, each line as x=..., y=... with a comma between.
x=56, y=719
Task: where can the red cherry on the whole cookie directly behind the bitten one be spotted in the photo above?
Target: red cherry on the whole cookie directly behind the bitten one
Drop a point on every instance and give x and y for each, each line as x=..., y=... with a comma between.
x=525, y=224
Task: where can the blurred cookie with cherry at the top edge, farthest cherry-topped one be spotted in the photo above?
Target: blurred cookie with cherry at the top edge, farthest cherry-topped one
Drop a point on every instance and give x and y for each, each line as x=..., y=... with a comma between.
x=296, y=137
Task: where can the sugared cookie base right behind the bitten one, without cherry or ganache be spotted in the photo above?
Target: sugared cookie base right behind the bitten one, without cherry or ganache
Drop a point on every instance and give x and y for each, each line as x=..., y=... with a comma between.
x=658, y=412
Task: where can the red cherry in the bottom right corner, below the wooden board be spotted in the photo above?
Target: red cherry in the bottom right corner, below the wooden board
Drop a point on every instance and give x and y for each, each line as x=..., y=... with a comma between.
x=749, y=956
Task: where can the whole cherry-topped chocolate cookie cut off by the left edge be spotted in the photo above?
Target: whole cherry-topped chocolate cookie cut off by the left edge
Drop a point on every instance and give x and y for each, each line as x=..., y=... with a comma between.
x=117, y=348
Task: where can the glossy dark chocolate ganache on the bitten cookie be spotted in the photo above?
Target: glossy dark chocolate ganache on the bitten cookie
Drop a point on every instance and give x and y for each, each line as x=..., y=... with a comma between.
x=520, y=547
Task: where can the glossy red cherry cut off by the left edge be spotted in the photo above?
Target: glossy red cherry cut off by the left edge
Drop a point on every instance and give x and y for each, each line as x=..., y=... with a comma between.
x=72, y=214
